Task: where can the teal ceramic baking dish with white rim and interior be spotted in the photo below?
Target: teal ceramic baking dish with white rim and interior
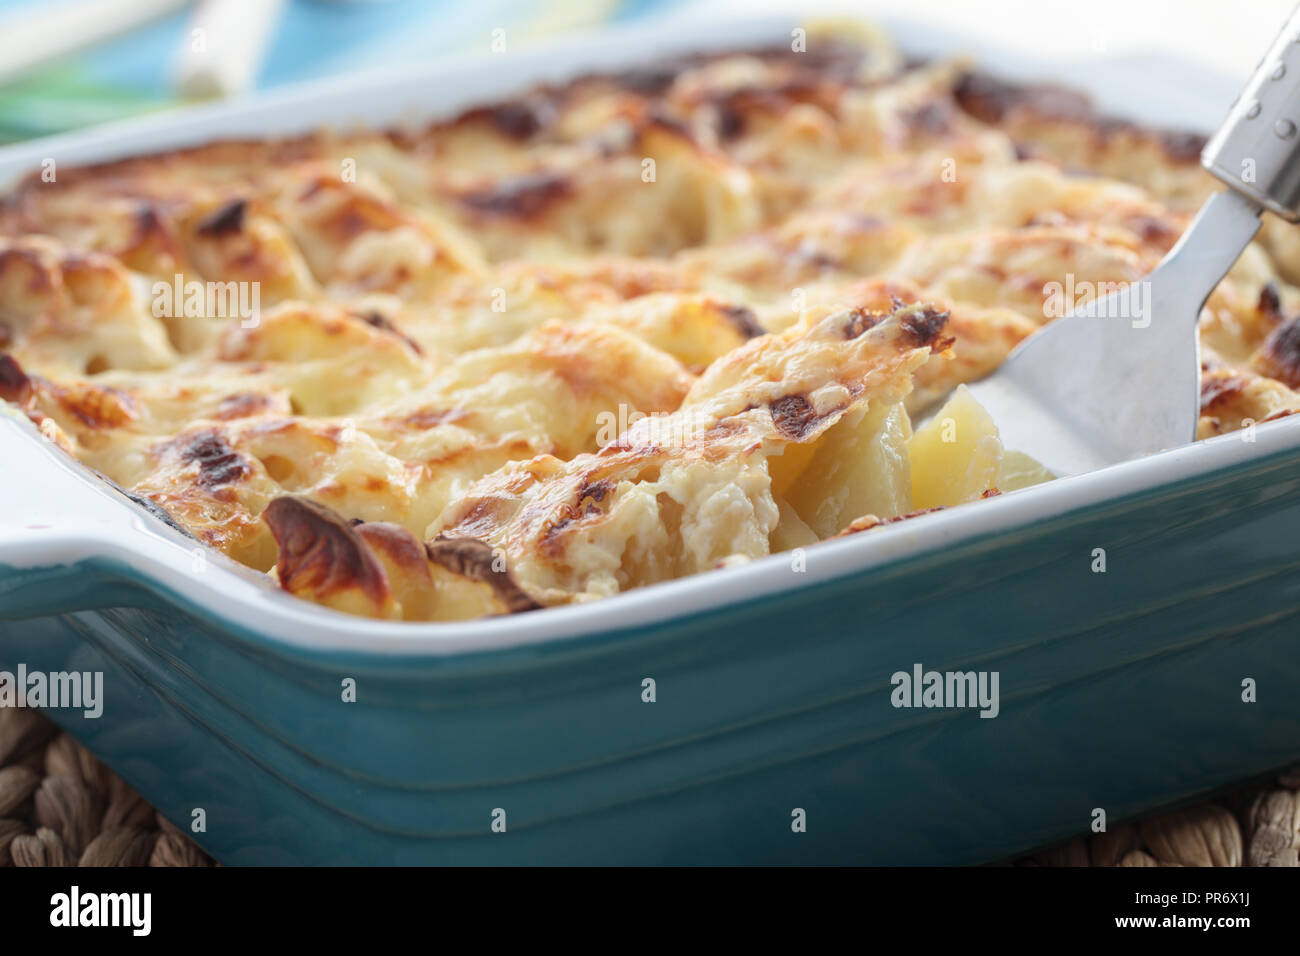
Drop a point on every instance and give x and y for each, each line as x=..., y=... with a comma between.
x=1119, y=690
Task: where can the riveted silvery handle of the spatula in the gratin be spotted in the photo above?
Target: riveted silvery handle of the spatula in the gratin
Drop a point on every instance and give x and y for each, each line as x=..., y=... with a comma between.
x=1258, y=149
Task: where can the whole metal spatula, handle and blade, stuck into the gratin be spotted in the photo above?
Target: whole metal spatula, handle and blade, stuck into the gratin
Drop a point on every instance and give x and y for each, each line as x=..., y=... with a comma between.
x=1120, y=378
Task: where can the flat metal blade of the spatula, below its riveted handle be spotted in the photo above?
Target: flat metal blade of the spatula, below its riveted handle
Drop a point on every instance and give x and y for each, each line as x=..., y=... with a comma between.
x=1120, y=378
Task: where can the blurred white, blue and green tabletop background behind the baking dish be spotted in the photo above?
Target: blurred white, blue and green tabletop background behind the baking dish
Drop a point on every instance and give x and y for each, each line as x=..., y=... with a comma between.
x=73, y=63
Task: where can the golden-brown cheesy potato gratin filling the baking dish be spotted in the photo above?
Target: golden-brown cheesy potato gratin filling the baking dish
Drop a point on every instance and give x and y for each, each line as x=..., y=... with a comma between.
x=636, y=327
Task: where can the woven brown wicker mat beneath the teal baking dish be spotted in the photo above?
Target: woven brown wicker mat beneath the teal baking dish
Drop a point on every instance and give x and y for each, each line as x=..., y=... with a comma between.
x=60, y=807
